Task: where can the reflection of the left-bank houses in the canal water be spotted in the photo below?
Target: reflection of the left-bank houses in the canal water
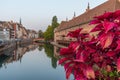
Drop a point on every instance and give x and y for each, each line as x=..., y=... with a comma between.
x=16, y=54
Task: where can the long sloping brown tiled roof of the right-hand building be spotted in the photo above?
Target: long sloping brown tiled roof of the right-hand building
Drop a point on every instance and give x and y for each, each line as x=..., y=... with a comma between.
x=110, y=5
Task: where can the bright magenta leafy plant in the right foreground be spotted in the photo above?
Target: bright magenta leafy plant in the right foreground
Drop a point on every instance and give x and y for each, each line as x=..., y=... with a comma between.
x=94, y=57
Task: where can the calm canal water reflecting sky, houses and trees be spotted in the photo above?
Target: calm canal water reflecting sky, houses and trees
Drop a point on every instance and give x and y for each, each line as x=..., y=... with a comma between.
x=31, y=62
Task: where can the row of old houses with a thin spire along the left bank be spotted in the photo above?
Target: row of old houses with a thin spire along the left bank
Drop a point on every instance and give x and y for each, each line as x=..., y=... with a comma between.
x=12, y=30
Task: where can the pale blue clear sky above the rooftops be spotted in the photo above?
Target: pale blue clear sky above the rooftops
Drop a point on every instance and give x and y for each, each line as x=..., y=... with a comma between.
x=37, y=14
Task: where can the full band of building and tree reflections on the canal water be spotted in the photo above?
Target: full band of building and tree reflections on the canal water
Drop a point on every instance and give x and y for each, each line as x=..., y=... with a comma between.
x=16, y=54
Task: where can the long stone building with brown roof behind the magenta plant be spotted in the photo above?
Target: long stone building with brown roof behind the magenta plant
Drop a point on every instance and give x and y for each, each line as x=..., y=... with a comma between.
x=83, y=20
